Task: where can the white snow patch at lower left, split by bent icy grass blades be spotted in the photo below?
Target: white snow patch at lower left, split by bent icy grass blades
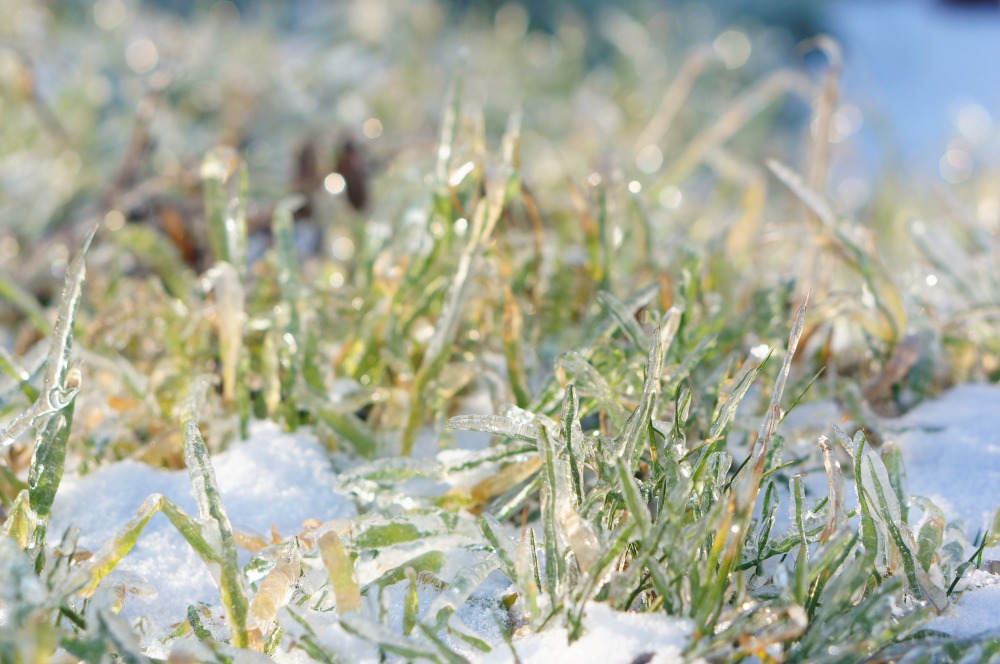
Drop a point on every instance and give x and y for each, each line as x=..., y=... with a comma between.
x=271, y=478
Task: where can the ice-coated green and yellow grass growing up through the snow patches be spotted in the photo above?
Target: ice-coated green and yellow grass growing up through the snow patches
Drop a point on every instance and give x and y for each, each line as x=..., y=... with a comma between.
x=618, y=344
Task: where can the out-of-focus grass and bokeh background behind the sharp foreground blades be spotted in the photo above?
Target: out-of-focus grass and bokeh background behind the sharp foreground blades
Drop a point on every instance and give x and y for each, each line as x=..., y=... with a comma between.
x=666, y=141
